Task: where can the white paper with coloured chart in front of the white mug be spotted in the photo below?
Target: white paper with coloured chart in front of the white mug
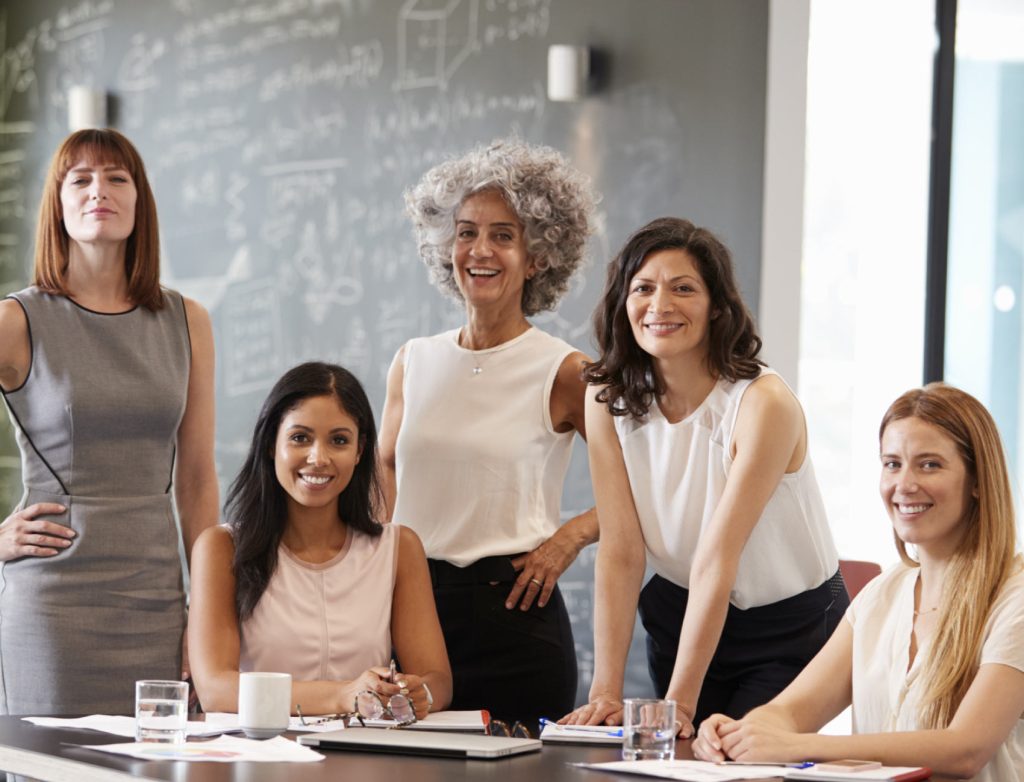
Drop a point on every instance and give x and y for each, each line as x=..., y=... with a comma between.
x=222, y=750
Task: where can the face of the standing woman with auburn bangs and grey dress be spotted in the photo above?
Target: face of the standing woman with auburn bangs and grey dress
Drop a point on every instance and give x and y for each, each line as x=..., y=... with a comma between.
x=98, y=203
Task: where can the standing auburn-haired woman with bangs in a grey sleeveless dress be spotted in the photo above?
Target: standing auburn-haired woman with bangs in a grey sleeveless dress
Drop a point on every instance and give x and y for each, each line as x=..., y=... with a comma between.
x=109, y=380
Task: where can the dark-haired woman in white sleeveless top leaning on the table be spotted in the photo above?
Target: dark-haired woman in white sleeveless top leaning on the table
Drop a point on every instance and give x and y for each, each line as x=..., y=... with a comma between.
x=700, y=464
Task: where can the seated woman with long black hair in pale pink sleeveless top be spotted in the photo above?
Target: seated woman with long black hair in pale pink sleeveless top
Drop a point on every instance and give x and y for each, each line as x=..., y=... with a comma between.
x=305, y=580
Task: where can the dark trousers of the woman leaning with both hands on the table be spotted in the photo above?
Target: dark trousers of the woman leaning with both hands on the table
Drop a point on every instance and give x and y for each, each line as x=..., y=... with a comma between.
x=761, y=651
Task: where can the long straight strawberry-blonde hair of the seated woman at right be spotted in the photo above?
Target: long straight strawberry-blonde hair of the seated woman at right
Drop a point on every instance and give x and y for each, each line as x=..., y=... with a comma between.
x=986, y=557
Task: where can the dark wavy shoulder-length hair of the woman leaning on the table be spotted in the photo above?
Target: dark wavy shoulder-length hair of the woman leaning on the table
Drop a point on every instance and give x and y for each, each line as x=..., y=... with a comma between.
x=624, y=368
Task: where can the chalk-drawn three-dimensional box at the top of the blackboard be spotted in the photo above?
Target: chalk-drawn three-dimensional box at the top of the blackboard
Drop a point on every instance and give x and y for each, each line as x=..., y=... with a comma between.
x=436, y=37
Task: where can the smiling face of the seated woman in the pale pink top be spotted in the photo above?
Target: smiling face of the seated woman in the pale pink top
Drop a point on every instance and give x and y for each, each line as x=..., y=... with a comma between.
x=316, y=453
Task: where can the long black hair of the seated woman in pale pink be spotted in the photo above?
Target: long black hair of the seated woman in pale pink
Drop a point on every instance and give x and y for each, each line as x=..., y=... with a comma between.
x=257, y=507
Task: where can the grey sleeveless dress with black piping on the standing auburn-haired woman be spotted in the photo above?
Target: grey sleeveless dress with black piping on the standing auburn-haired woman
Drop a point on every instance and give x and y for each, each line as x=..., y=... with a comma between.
x=97, y=424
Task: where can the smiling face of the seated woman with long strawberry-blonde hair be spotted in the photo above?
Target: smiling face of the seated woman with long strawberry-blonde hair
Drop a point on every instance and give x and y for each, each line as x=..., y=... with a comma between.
x=925, y=486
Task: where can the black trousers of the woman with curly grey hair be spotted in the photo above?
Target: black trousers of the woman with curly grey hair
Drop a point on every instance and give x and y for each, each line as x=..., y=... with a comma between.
x=517, y=665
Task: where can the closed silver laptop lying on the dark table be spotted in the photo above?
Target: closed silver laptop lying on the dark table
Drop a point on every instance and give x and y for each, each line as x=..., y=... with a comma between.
x=421, y=743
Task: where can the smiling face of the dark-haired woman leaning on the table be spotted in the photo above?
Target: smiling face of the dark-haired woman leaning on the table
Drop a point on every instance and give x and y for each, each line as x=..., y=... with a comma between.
x=669, y=307
